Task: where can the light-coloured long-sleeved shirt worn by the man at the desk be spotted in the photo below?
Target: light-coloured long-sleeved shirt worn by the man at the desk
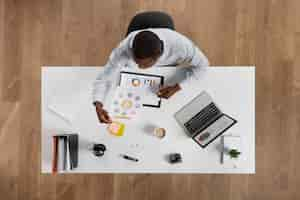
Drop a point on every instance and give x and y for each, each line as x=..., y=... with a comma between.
x=178, y=51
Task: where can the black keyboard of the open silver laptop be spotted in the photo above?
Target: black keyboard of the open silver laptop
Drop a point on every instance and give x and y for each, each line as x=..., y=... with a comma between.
x=203, y=118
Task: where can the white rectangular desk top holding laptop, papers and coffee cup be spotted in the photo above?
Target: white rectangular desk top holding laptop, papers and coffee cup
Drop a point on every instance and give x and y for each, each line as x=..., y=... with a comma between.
x=232, y=88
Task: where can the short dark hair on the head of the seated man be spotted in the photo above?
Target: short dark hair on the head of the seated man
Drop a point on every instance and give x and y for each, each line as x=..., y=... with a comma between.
x=147, y=44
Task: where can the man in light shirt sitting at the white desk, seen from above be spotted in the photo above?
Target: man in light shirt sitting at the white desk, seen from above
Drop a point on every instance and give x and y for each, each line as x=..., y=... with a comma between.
x=146, y=48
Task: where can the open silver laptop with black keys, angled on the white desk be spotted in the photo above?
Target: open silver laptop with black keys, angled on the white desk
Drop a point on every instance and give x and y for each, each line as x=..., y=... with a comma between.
x=202, y=119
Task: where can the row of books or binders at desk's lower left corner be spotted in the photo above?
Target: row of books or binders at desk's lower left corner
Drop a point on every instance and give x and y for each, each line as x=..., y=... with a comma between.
x=65, y=152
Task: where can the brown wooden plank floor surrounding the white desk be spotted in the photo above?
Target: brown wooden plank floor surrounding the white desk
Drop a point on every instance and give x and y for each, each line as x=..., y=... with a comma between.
x=265, y=33
